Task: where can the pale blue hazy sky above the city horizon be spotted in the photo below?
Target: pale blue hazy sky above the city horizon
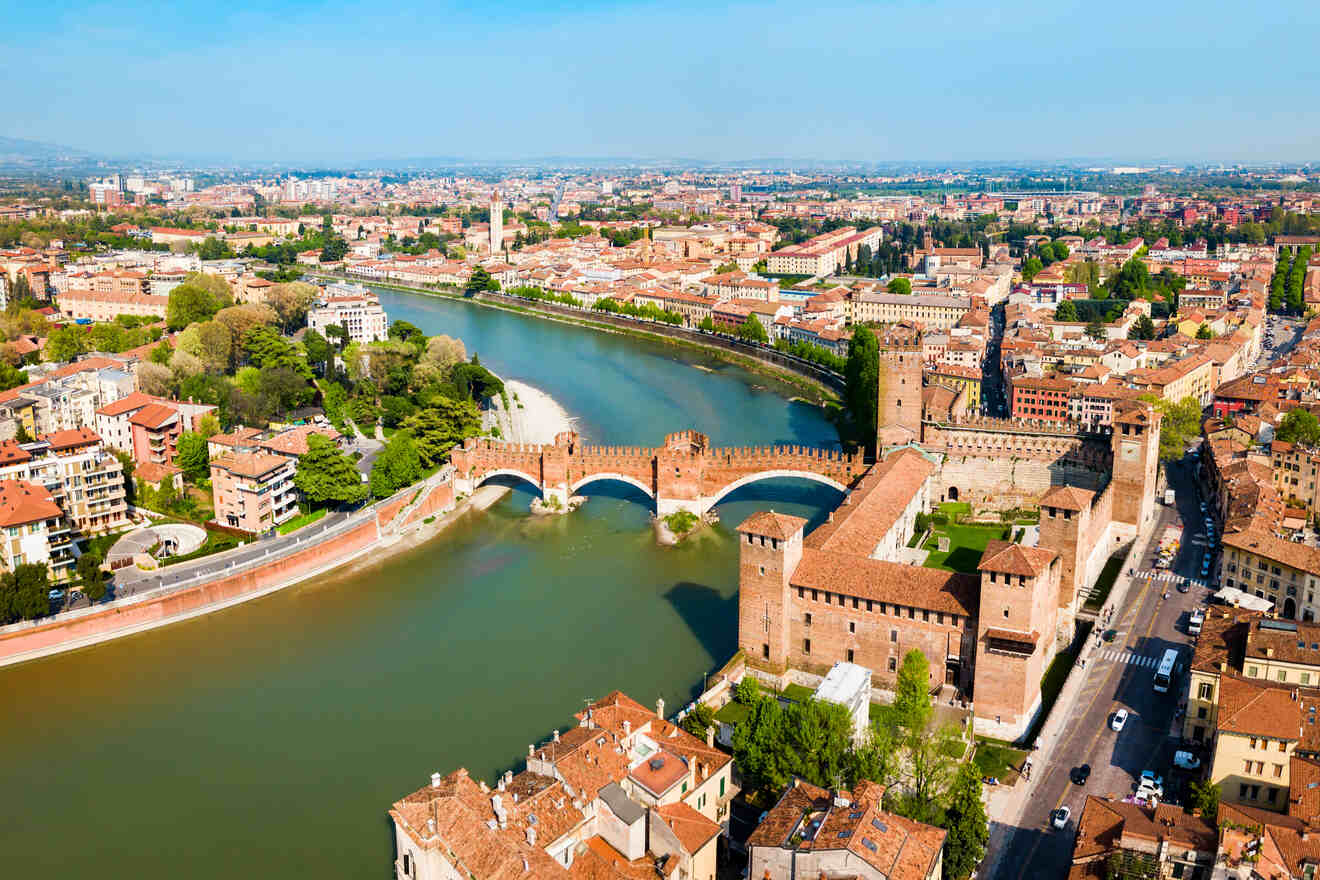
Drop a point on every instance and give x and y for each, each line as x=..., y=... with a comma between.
x=884, y=81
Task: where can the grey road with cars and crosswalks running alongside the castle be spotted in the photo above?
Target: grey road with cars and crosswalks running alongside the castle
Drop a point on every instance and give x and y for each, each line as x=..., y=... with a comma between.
x=1119, y=676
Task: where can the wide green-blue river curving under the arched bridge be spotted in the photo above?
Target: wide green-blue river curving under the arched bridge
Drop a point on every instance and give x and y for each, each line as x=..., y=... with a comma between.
x=270, y=739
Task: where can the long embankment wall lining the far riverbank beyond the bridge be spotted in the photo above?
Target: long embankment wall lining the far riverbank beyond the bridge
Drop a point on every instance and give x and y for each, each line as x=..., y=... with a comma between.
x=773, y=362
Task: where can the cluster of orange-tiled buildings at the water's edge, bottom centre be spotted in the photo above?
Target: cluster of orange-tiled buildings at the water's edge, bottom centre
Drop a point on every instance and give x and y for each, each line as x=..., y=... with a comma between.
x=624, y=796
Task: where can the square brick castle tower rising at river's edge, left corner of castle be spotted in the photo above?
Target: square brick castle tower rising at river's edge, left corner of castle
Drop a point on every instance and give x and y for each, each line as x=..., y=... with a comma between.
x=770, y=548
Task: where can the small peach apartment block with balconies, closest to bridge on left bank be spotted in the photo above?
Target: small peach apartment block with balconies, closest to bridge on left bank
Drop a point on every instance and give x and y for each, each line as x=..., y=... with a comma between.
x=254, y=491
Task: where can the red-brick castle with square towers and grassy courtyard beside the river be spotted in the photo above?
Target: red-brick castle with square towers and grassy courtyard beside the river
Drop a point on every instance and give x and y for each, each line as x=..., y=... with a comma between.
x=844, y=594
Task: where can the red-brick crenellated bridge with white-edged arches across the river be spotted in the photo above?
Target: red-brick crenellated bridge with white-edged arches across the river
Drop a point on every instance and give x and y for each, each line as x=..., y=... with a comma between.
x=684, y=474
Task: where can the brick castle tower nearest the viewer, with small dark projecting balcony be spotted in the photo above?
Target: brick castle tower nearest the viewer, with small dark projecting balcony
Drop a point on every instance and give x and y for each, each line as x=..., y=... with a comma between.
x=1016, y=635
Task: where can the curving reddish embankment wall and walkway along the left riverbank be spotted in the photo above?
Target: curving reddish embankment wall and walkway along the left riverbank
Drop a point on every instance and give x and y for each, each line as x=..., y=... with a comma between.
x=253, y=571
